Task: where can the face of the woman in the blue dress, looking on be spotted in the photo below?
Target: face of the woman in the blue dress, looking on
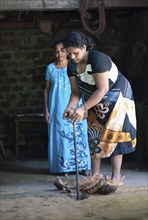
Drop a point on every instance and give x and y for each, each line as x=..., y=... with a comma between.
x=60, y=52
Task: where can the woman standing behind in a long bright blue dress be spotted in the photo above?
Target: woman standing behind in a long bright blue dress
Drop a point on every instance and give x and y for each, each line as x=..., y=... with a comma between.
x=60, y=132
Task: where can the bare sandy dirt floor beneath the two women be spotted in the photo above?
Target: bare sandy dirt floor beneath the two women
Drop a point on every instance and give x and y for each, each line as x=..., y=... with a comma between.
x=27, y=192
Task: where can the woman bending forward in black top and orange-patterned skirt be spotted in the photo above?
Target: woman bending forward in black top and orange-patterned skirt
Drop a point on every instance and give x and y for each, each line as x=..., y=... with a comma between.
x=109, y=102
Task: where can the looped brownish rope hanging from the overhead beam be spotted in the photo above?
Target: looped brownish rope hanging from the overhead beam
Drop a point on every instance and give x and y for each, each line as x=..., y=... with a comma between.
x=85, y=17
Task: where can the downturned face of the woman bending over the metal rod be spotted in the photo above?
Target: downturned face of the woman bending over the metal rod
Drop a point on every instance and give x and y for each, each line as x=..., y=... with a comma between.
x=76, y=54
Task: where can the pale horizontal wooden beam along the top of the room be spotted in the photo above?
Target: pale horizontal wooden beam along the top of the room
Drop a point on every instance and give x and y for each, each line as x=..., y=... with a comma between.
x=64, y=5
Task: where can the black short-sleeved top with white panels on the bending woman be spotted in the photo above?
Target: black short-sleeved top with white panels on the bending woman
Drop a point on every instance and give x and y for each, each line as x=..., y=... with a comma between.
x=97, y=63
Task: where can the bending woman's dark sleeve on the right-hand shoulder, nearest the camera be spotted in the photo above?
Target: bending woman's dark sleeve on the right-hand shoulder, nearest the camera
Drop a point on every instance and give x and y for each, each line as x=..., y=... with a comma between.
x=100, y=62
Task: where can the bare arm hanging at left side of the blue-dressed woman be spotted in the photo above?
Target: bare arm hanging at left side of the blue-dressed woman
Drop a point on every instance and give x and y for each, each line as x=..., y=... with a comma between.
x=46, y=95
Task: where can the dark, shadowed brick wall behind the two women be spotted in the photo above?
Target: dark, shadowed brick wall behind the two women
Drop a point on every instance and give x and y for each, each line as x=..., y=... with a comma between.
x=25, y=52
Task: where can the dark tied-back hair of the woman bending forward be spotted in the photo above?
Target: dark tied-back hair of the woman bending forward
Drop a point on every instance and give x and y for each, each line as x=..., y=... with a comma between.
x=78, y=39
